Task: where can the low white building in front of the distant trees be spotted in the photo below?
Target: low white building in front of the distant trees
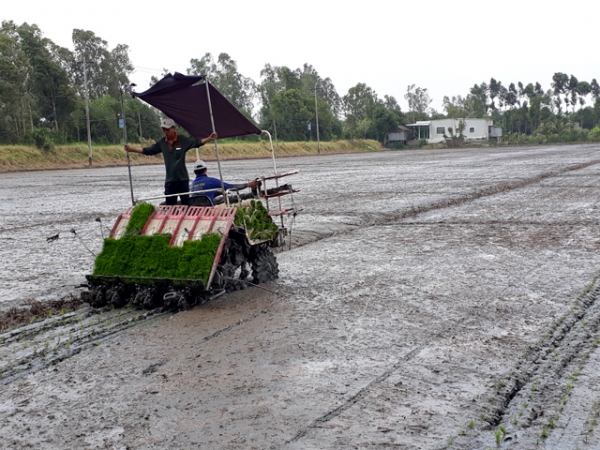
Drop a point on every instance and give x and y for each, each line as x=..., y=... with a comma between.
x=434, y=130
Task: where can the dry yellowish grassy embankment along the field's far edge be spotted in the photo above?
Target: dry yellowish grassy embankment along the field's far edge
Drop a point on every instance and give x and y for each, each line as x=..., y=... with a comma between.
x=24, y=158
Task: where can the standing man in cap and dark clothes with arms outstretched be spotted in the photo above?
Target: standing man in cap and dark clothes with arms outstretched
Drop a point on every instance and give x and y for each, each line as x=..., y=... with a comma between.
x=173, y=148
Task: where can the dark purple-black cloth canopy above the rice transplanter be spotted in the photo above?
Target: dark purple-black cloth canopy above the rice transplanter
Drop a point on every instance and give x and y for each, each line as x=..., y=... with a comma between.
x=186, y=102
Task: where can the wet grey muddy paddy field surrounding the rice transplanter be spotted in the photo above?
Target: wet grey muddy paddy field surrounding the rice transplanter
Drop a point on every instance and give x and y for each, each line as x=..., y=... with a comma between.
x=431, y=299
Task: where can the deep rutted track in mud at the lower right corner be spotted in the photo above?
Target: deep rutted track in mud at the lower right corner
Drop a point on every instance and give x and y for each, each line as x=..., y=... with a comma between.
x=527, y=405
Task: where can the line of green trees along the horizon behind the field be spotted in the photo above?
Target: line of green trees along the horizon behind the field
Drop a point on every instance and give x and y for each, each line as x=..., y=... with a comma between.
x=42, y=97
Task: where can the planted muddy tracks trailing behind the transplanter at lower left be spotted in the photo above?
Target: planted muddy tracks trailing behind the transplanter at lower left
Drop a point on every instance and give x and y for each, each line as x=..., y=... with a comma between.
x=37, y=346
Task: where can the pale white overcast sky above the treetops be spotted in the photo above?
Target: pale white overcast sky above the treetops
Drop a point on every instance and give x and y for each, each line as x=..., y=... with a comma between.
x=444, y=46
